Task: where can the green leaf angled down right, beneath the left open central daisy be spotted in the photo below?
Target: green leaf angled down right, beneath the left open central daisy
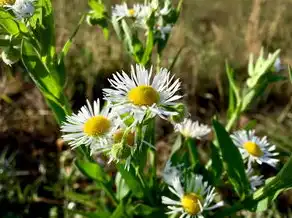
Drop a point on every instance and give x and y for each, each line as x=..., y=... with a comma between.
x=92, y=170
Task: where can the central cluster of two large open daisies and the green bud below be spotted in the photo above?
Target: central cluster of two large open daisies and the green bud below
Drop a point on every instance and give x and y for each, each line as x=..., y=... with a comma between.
x=137, y=97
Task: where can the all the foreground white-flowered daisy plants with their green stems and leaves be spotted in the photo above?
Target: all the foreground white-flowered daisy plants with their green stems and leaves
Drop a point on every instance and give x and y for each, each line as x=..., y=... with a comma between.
x=123, y=129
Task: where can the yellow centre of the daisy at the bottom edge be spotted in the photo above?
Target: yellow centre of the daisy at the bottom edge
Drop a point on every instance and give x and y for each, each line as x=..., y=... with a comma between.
x=191, y=203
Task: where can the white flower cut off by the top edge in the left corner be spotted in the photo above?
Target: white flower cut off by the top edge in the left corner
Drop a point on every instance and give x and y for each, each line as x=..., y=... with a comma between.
x=22, y=8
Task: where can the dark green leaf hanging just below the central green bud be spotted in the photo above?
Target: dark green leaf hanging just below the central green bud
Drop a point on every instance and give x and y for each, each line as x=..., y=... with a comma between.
x=131, y=180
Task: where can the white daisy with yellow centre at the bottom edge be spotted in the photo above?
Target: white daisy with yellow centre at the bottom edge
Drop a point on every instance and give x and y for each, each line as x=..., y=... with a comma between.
x=194, y=198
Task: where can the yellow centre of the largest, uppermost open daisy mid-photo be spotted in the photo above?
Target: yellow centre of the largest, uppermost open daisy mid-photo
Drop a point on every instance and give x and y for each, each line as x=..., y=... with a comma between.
x=143, y=96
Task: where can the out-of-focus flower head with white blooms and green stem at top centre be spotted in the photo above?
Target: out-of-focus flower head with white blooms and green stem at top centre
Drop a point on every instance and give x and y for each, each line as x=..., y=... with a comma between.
x=141, y=27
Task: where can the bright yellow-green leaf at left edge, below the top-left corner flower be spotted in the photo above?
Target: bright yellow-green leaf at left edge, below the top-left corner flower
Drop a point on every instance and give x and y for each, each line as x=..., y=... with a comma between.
x=10, y=24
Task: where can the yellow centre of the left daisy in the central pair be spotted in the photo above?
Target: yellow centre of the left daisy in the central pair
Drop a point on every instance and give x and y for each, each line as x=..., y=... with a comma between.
x=96, y=126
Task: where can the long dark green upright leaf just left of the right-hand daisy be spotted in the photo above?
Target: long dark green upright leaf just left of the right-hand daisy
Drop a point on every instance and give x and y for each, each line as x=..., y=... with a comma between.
x=233, y=162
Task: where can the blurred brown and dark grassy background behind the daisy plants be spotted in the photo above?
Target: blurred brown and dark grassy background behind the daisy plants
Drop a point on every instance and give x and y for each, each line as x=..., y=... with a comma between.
x=37, y=178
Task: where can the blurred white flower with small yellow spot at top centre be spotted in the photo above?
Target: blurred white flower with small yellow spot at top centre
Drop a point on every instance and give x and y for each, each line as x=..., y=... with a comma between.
x=138, y=11
